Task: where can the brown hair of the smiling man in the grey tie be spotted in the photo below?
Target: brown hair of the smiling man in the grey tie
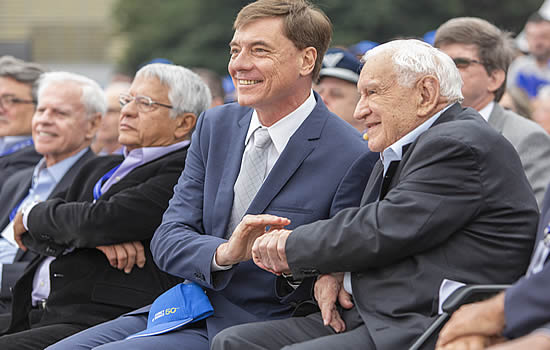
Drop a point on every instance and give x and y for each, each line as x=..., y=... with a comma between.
x=304, y=24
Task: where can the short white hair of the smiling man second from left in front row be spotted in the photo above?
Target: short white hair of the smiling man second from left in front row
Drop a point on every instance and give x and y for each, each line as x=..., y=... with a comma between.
x=92, y=98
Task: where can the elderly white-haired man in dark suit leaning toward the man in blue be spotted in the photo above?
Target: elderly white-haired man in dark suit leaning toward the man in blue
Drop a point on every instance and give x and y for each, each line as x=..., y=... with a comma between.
x=448, y=203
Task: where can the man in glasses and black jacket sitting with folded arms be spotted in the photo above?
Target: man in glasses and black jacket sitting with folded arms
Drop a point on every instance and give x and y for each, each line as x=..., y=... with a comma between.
x=111, y=209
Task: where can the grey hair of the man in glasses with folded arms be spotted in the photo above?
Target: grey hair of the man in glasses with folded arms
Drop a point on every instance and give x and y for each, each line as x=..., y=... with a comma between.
x=186, y=90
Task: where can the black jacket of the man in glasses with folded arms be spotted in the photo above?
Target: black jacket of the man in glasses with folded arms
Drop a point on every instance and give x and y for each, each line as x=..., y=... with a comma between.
x=85, y=289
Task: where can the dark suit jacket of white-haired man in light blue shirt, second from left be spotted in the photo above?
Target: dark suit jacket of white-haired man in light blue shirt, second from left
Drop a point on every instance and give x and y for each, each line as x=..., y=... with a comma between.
x=15, y=190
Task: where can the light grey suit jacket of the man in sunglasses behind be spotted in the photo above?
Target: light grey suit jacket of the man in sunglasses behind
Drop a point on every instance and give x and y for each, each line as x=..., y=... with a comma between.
x=531, y=142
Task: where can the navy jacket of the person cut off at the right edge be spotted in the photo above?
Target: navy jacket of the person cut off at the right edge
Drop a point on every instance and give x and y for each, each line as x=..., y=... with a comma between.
x=527, y=302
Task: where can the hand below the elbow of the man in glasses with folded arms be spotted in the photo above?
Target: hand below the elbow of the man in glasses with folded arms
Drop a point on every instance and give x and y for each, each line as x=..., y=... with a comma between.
x=124, y=256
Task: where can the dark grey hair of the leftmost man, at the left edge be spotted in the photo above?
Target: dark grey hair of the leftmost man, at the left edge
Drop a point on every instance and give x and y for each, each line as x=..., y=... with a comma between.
x=21, y=71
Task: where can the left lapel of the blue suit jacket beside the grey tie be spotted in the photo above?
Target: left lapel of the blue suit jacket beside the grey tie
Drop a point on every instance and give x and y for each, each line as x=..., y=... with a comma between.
x=224, y=198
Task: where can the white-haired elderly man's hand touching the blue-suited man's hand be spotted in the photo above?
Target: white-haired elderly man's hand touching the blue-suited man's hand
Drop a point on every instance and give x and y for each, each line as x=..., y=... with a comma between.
x=269, y=252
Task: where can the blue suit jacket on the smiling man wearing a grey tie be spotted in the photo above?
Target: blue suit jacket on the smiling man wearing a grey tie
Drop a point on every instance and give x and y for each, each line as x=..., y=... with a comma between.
x=323, y=169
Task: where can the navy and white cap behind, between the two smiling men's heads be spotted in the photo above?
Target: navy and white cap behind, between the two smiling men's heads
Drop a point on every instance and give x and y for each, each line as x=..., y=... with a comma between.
x=341, y=64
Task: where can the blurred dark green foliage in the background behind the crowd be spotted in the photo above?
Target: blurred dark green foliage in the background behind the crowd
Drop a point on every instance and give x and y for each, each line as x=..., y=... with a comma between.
x=197, y=32
